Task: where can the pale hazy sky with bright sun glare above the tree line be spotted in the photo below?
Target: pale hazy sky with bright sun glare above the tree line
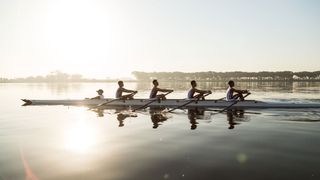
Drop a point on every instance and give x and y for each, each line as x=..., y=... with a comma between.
x=112, y=38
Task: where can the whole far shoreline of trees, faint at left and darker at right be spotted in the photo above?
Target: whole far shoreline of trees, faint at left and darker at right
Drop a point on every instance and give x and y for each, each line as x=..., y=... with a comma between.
x=288, y=76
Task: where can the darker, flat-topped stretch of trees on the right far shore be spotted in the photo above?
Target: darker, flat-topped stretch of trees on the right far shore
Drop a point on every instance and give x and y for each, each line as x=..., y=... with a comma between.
x=225, y=76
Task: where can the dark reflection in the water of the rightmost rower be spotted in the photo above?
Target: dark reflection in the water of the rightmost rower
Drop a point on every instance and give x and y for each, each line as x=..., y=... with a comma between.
x=234, y=117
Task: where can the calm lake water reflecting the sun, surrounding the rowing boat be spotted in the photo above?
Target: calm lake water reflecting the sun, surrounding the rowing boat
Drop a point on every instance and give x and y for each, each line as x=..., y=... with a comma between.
x=60, y=142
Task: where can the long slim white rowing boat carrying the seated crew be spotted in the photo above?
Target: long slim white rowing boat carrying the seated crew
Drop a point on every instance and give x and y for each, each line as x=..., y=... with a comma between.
x=171, y=103
